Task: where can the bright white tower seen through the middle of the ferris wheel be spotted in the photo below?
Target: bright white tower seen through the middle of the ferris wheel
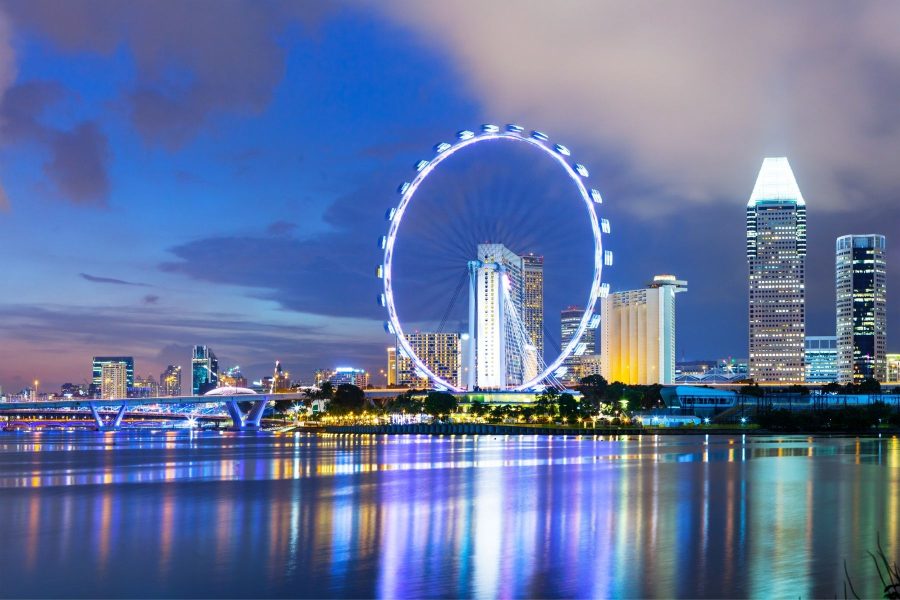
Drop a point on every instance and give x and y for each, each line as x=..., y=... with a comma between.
x=499, y=361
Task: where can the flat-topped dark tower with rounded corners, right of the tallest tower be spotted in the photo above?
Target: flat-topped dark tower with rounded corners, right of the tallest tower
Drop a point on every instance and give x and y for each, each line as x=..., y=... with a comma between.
x=861, y=283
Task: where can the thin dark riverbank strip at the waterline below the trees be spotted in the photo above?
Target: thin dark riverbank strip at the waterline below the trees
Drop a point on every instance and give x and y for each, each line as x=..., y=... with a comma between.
x=487, y=429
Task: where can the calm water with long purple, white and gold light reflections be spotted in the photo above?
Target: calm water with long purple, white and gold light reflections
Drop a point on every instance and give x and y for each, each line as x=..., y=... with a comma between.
x=175, y=514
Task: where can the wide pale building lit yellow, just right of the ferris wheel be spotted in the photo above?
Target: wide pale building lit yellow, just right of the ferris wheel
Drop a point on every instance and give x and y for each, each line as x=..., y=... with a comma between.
x=638, y=333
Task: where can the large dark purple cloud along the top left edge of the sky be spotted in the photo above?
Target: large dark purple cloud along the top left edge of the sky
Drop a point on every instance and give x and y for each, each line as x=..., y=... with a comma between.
x=194, y=60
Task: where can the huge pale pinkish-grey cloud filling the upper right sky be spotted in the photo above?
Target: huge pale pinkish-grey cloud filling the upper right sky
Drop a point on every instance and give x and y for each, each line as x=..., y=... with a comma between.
x=693, y=98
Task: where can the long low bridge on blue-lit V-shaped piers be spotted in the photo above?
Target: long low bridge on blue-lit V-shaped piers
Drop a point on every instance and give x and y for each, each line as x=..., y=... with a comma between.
x=241, y=420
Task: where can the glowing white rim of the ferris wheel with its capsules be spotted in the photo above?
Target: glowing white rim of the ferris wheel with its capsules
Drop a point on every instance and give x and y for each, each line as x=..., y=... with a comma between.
x=591, y=198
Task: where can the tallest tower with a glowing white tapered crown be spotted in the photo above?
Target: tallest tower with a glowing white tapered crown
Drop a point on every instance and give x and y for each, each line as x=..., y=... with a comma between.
x=776, y=252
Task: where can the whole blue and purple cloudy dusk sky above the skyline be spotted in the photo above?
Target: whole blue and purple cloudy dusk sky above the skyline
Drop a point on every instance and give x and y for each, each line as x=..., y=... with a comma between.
x=217, y=172
